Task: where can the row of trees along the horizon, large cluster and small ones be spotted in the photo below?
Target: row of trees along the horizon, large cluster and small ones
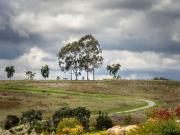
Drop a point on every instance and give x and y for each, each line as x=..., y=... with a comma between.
x=75, y=57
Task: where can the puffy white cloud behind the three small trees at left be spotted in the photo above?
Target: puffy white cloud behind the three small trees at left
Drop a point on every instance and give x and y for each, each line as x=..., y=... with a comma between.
x=33, y=61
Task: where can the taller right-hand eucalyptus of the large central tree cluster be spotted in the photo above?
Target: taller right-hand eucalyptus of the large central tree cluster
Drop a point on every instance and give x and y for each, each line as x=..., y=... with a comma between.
x=91, y=54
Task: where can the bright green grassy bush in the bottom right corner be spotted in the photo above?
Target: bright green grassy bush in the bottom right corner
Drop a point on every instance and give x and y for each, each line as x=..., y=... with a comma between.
x=159, y=127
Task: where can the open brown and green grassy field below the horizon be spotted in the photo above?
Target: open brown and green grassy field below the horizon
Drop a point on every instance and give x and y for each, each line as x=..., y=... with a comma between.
x=107, y=95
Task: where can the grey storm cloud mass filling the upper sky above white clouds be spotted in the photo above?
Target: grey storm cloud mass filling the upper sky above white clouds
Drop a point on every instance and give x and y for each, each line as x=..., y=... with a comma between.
x=134, y=25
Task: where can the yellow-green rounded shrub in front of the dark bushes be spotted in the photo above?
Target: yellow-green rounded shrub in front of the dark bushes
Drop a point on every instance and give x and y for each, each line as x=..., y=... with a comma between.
x=69, y=126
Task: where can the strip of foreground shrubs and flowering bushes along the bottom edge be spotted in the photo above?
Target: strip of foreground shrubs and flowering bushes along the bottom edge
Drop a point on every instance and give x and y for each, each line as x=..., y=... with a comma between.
x=68, y=121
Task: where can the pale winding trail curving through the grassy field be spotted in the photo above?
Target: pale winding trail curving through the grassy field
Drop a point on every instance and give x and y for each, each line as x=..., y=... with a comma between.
x=149, y=102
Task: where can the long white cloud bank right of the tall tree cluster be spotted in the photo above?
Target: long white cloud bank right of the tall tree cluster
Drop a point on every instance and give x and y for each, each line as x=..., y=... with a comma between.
x=146, y=61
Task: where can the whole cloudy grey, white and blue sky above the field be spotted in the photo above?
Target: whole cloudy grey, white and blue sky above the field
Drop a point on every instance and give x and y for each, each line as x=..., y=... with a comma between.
x=142, y=35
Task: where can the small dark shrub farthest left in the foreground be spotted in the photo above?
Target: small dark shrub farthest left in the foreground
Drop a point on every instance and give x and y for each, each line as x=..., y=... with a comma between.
x=11, y=121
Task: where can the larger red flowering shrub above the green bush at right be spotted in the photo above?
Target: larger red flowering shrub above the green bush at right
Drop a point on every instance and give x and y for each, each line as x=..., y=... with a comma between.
x=164, y=114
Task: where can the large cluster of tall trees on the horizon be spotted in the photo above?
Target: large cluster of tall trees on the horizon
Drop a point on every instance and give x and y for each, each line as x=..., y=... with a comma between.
x=84, y=54
